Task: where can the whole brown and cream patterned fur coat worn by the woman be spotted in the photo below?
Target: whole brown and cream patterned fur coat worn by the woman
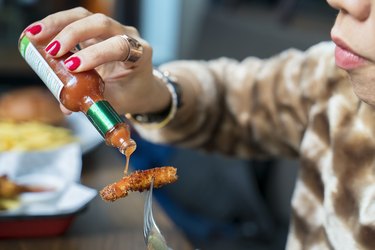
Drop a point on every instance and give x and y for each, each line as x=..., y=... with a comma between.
x=296, y=104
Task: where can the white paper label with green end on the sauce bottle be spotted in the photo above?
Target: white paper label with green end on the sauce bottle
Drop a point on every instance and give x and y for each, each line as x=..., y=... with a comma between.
x=40, y=67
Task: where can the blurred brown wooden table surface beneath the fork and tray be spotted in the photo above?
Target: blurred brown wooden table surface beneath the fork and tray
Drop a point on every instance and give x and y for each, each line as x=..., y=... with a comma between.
x=112, y=226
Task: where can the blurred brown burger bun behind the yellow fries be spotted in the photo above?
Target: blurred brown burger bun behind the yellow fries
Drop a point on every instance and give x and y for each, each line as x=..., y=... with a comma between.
x=30, y=104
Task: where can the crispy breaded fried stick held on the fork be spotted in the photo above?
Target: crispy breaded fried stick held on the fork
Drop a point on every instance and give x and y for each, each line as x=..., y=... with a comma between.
x=139, y=180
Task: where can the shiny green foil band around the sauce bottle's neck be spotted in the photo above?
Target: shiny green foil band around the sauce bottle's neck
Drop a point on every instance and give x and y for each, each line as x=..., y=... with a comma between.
x=103, y=116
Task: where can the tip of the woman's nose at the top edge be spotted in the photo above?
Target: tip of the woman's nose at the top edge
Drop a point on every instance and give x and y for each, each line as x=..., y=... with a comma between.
x=359, y=9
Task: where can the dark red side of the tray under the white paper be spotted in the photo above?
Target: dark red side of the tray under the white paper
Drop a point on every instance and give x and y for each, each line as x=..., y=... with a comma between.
x=19, y=226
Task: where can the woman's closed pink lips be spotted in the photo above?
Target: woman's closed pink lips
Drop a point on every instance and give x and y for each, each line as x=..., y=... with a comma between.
x=345, y=57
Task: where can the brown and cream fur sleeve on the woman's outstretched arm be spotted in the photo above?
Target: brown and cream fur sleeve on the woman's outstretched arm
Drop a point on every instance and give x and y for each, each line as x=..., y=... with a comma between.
x=250, y=108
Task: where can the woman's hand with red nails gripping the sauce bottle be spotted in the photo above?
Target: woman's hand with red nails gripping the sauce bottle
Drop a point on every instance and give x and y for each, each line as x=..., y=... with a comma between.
x=130, y=87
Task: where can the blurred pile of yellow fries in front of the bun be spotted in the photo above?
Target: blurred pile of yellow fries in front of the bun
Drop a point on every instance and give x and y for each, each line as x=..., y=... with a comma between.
x=30, y=136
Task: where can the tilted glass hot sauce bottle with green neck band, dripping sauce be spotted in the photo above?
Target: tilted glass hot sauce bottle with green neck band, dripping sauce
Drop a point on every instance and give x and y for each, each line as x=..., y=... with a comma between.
x=79, y=92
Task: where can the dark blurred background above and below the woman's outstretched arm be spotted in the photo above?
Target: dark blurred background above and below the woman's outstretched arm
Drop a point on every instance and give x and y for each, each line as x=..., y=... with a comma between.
x=219, y=202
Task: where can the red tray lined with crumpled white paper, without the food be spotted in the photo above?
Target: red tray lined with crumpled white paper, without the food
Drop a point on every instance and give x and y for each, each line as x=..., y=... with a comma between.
x=49, y=213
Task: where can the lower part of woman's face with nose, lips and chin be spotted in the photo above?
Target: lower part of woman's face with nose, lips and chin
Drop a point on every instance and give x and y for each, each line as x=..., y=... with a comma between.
x=354, y=35
